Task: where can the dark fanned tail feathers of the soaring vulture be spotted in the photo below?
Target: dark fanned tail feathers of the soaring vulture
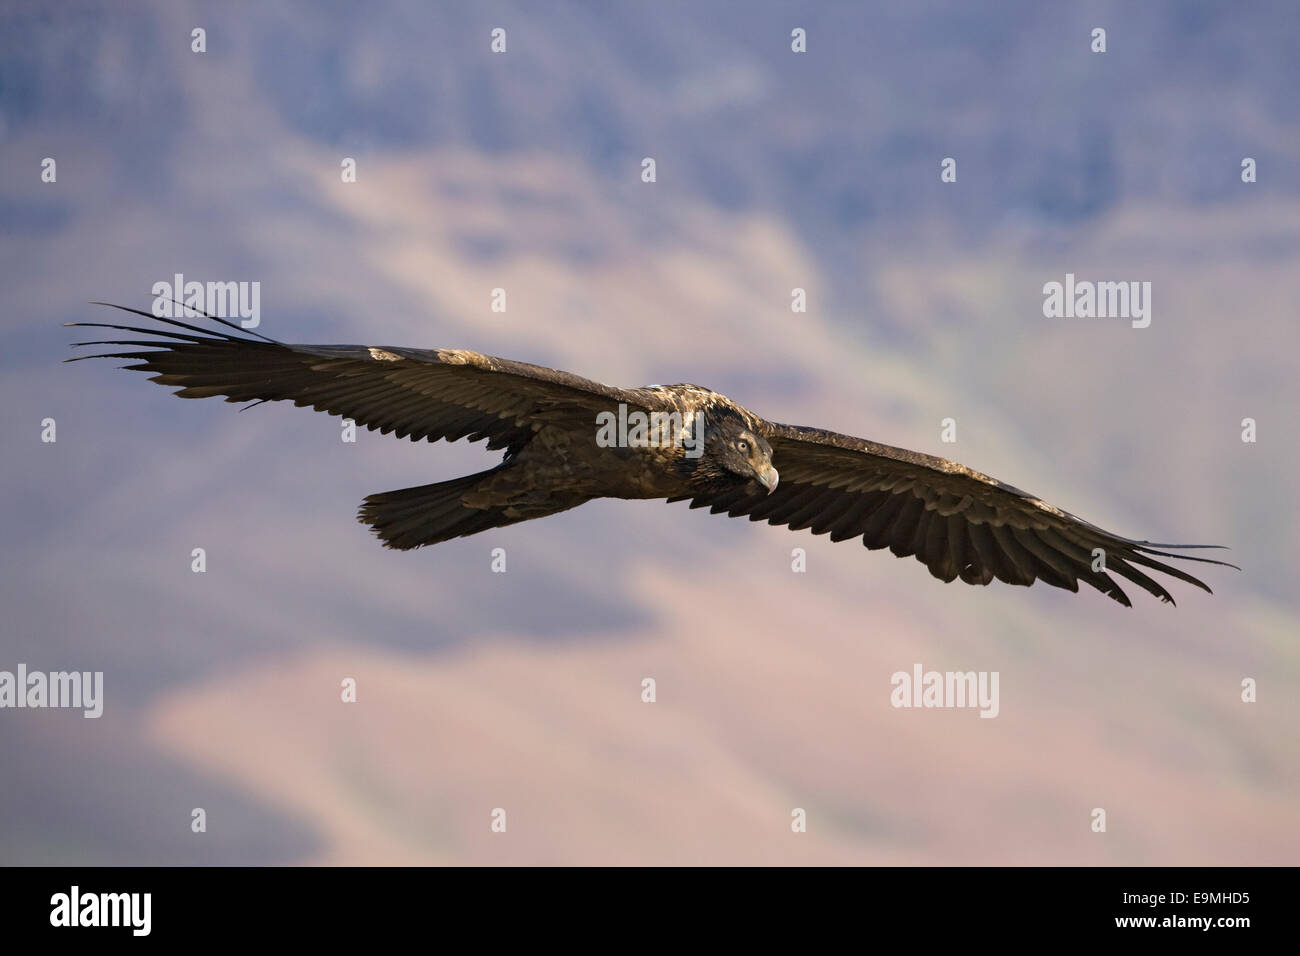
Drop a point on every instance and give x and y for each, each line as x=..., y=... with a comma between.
x=426, y=516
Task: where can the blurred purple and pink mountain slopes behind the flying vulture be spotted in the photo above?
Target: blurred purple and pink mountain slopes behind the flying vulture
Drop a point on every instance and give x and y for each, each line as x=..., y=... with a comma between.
x=775, y=171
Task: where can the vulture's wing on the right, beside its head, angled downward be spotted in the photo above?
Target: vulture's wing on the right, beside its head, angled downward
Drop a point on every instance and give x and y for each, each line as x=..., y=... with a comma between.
x=957, y=522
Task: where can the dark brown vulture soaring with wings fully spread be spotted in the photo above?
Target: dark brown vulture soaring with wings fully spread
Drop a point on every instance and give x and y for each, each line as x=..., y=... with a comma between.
x=569, y=440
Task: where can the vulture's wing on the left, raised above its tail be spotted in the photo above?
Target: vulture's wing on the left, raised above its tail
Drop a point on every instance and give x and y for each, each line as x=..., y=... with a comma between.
x=418, y=393
